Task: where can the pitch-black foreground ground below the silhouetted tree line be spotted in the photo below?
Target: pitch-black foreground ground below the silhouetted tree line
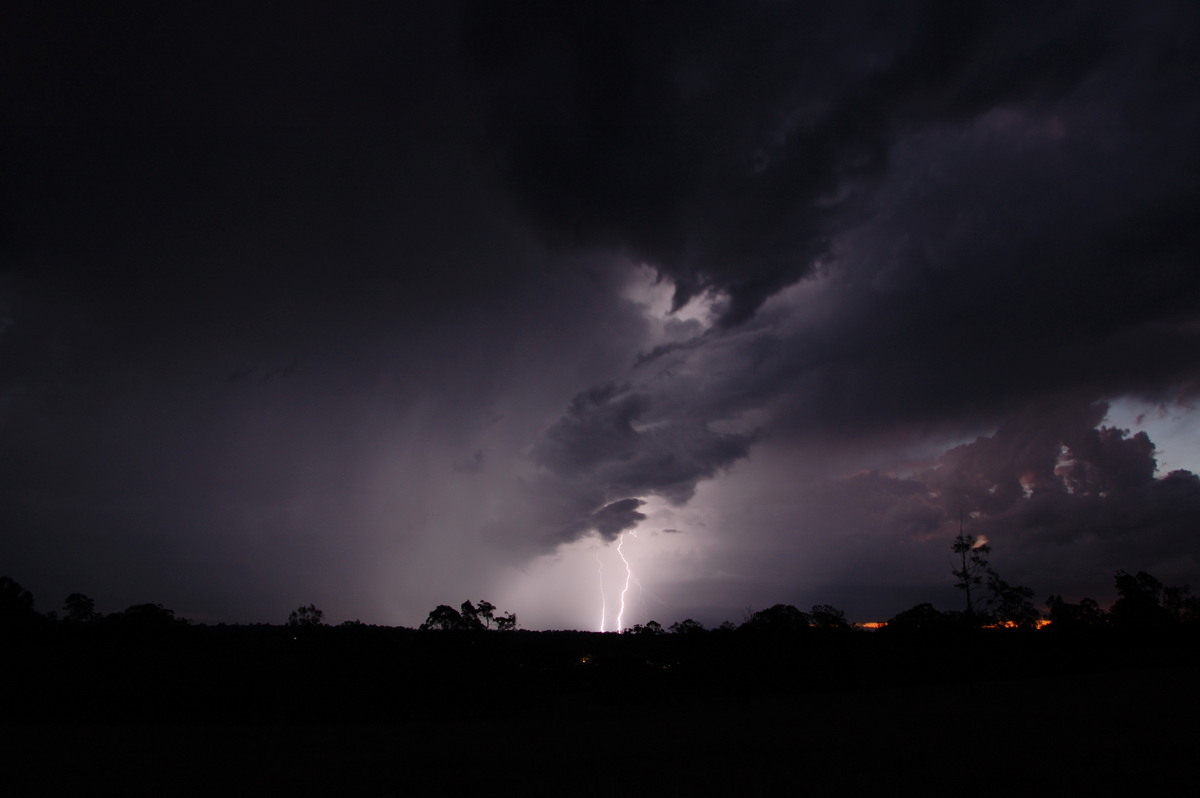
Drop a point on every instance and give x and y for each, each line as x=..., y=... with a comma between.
x=584, y=715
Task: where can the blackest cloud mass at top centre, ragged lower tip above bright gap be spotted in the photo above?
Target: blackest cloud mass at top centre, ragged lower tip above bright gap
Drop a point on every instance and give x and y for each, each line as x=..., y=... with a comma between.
x=722, y=142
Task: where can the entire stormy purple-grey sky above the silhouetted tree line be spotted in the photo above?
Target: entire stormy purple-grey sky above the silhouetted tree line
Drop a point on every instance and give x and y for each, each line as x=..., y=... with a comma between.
x=382, y=307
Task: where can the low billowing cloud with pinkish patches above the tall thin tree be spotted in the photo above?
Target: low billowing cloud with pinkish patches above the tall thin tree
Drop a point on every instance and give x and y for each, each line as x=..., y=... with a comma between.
x=1057, y=494
